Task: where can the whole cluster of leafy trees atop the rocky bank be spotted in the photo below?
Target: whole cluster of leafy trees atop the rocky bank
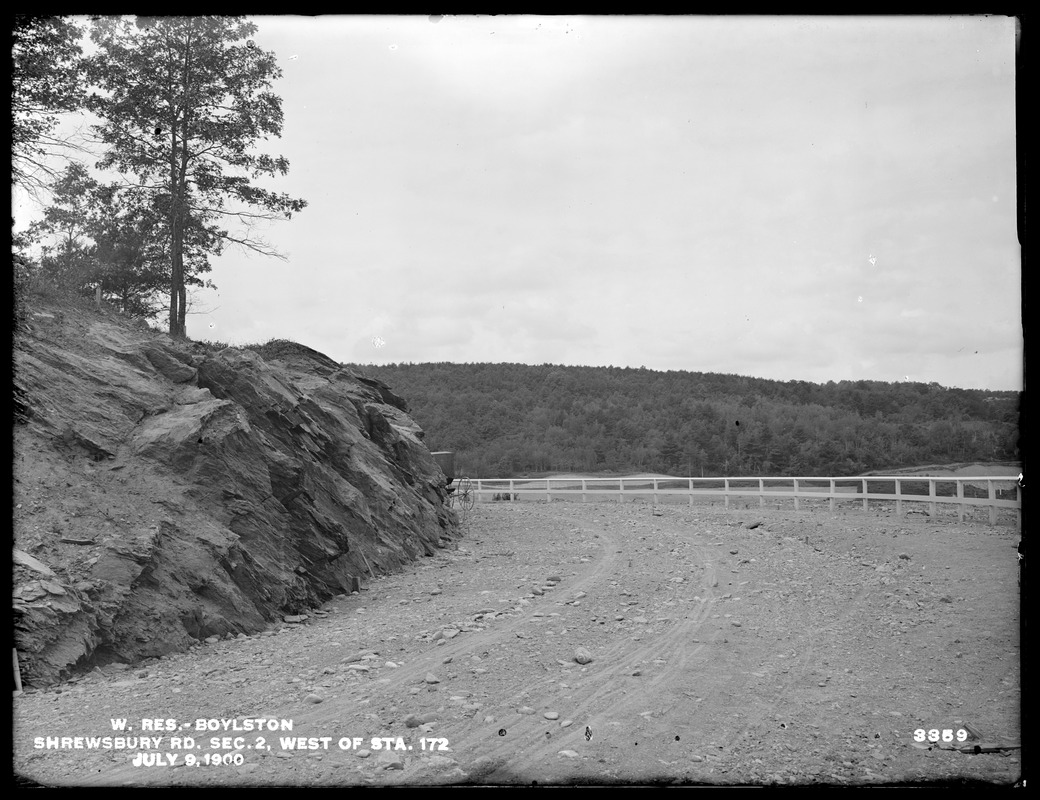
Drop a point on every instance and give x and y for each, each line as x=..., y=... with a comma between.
x=181, y=105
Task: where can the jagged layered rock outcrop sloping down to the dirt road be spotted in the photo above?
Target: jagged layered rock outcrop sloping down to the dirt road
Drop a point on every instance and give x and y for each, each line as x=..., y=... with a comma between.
x=168, y=493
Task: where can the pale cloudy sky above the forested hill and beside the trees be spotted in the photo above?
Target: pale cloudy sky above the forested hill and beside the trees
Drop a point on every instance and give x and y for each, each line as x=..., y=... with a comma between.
x=791, y=198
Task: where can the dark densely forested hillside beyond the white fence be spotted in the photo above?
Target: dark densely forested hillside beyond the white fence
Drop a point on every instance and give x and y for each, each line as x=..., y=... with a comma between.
x=510, y=420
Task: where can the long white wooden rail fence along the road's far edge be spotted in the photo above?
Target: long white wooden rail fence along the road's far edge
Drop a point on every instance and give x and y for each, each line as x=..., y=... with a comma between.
x=995, y=493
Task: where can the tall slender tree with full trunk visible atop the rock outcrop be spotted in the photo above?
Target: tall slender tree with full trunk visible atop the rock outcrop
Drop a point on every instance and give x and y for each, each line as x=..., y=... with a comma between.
x=184, y=102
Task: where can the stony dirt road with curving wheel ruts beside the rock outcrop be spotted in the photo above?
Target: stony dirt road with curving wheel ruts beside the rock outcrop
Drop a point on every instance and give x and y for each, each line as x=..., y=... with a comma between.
x=601, y=644
